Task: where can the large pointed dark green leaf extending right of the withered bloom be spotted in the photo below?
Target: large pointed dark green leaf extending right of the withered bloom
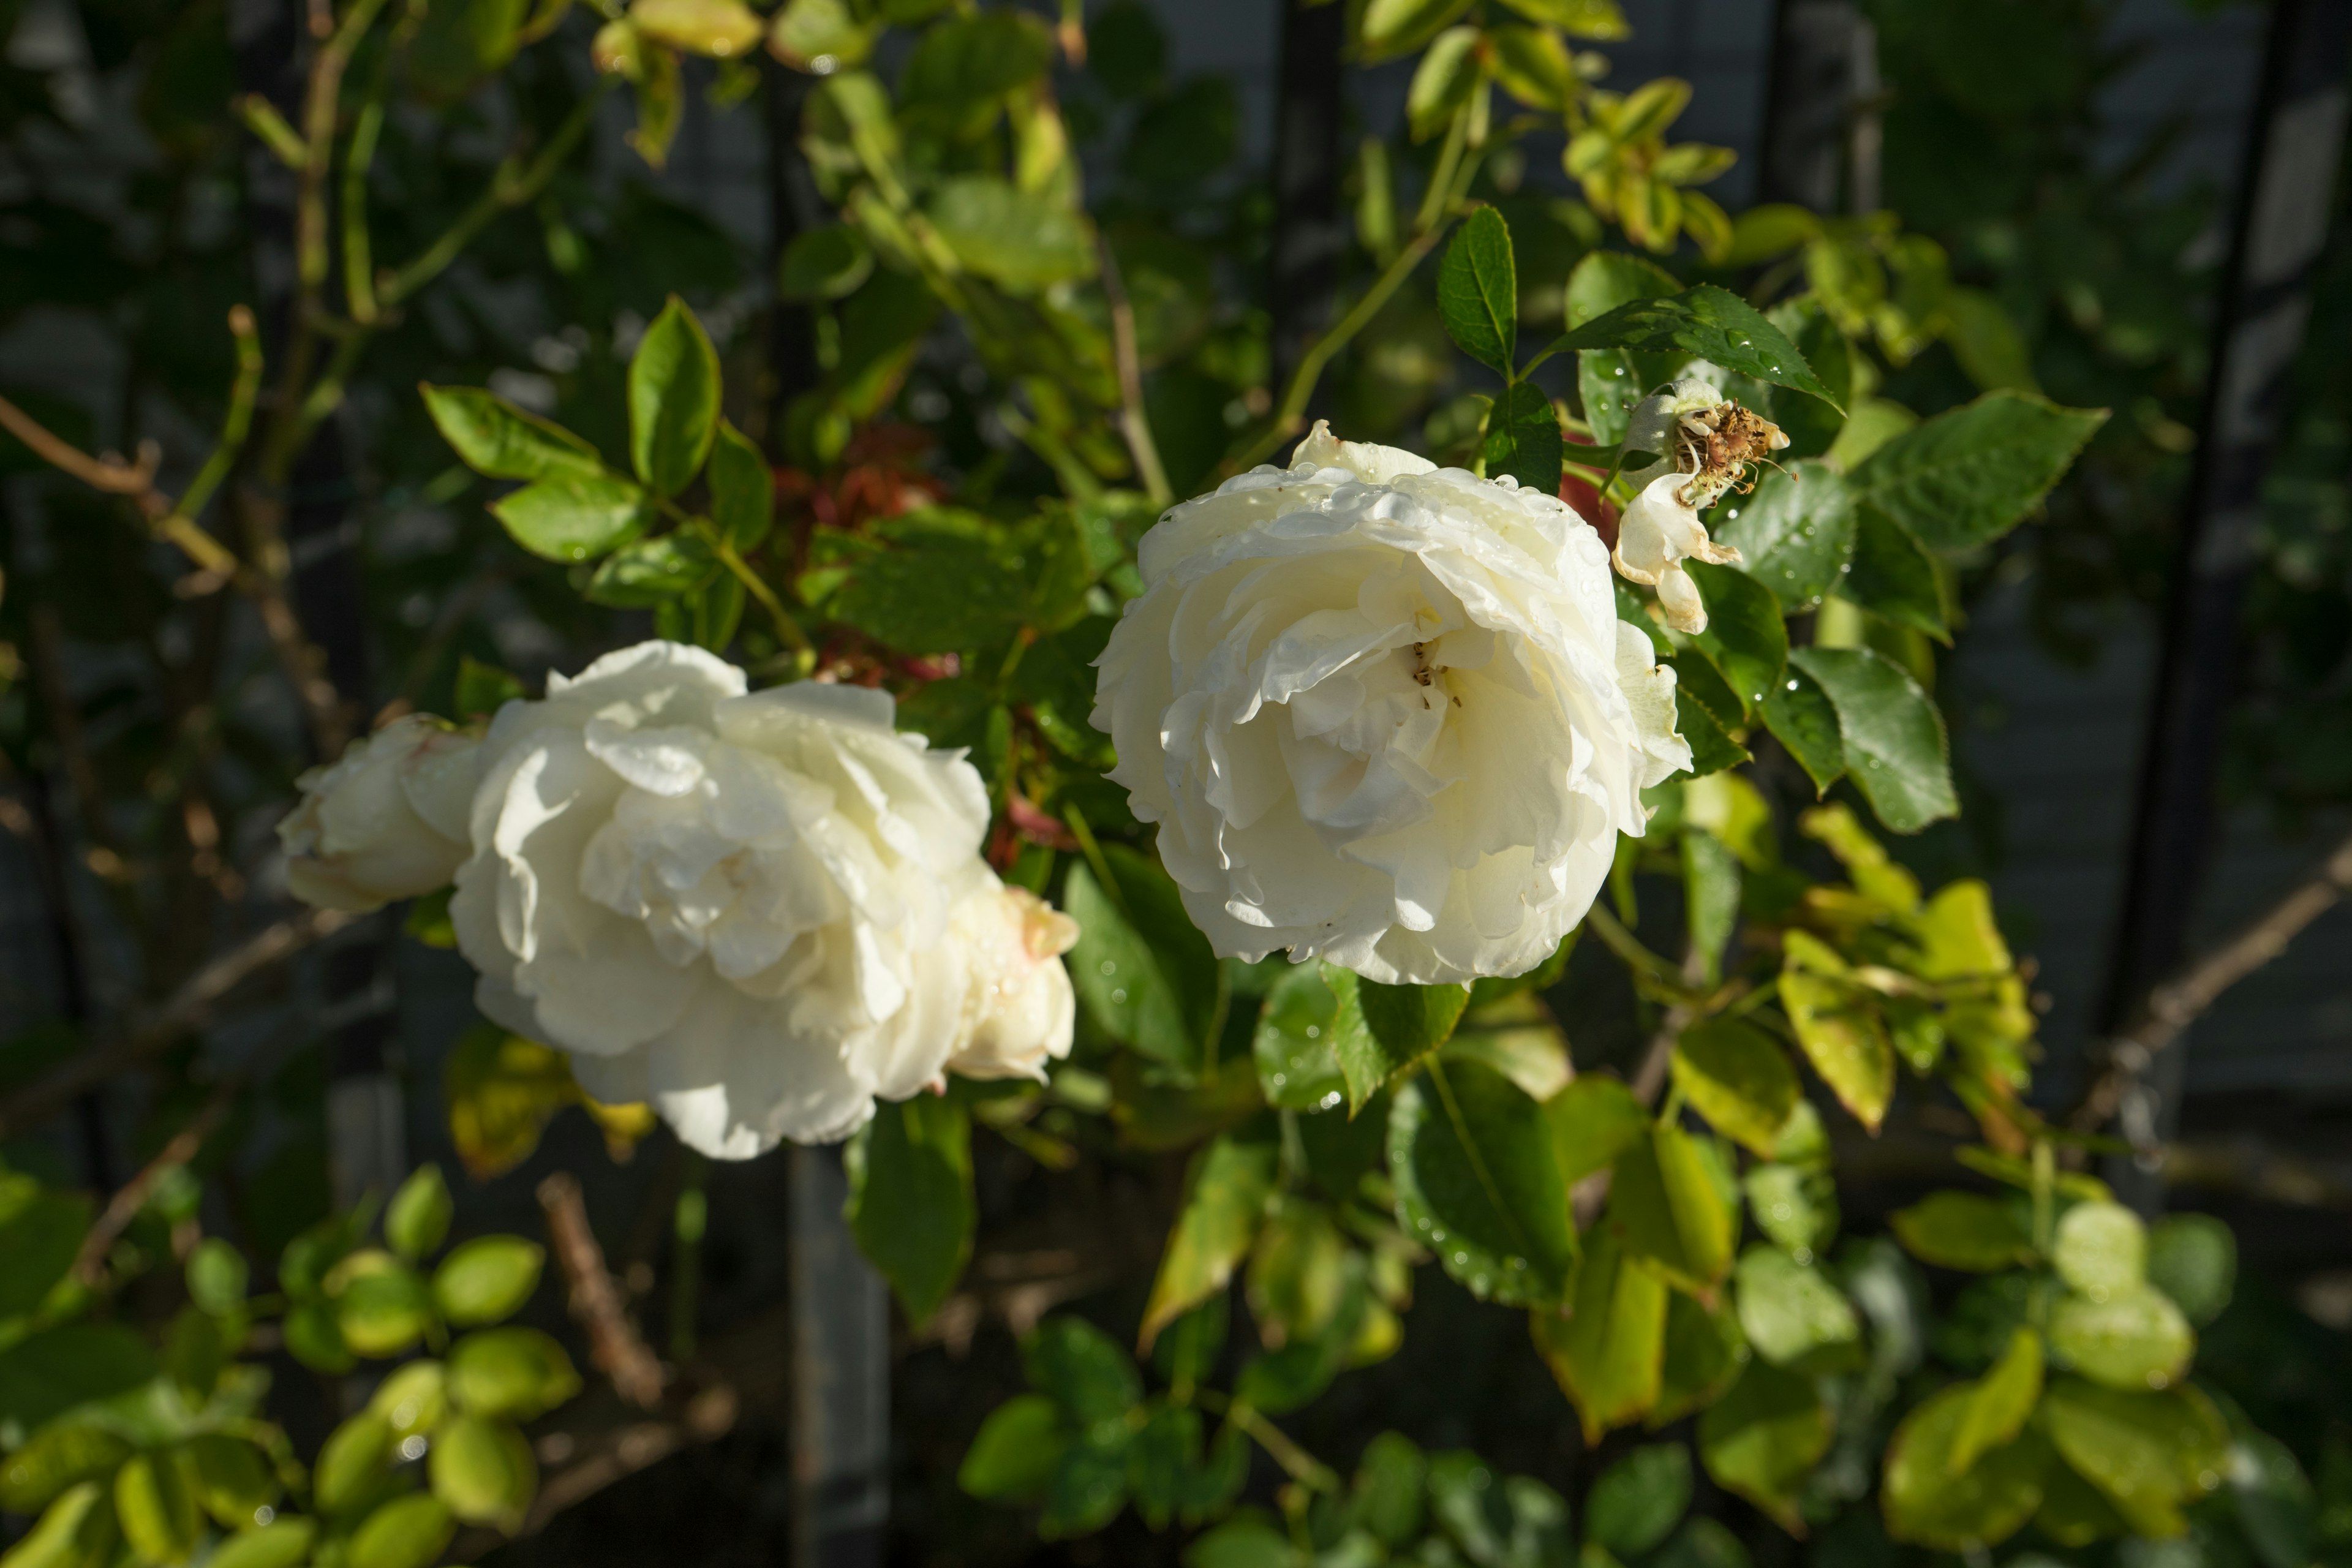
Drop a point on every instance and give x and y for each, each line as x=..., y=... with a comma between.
x=1970, y=476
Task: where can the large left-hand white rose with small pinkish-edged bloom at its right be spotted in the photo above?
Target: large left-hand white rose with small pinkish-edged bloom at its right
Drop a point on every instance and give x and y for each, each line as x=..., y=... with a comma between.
x=754, y=911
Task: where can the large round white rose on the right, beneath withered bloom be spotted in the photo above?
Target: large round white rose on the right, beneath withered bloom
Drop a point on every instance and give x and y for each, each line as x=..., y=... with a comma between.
x=1384, y=713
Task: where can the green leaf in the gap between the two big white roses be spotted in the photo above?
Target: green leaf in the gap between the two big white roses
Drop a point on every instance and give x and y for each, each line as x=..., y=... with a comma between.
x=1149, y=981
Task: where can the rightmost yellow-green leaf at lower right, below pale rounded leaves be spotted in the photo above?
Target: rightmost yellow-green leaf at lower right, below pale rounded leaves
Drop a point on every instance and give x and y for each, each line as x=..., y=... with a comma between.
x=2146, y=1454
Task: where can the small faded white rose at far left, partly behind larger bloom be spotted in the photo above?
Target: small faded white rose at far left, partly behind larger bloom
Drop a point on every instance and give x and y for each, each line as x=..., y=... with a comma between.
x=385, y=822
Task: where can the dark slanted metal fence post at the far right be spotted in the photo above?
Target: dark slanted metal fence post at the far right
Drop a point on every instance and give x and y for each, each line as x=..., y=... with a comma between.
x=2278, y=232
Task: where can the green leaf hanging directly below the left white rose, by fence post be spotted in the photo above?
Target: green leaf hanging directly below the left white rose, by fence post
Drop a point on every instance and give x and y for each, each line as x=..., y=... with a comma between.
x=911, y=1200
